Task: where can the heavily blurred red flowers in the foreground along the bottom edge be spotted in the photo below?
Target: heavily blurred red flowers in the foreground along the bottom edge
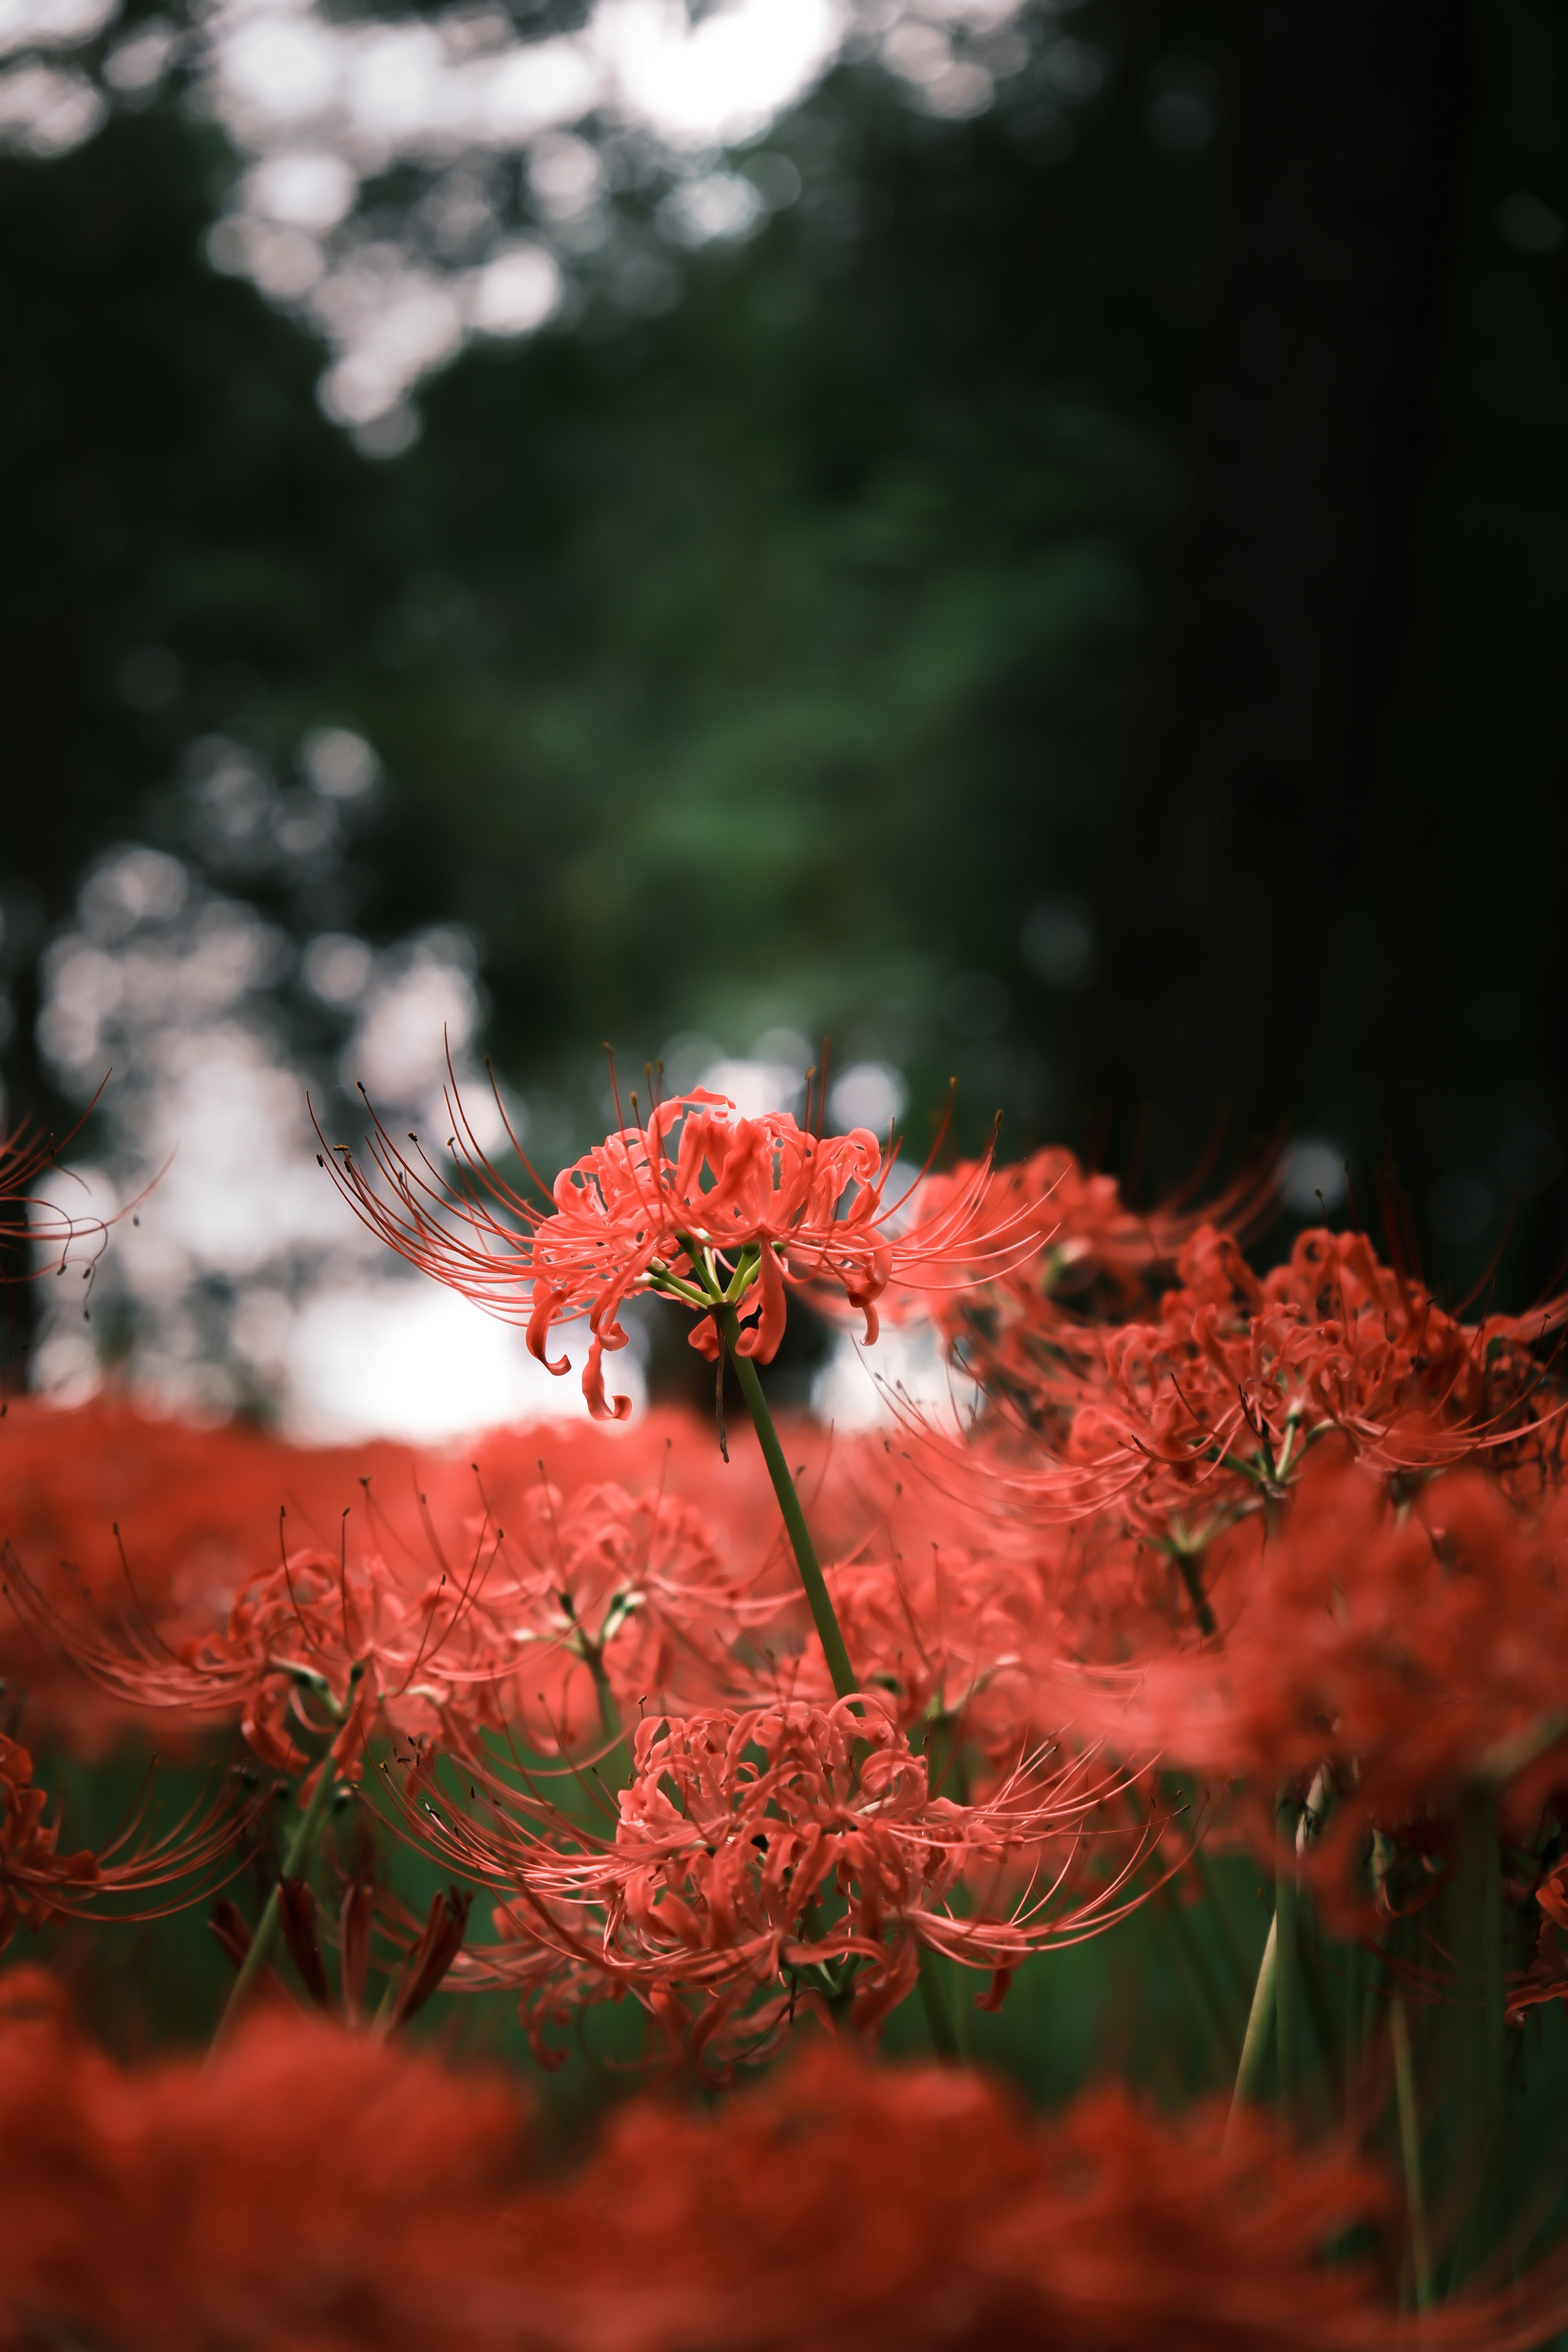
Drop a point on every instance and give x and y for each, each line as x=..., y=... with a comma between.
x=340, y=2193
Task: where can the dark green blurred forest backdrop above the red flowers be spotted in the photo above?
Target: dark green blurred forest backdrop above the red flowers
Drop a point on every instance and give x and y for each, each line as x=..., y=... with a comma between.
x=1078, y=603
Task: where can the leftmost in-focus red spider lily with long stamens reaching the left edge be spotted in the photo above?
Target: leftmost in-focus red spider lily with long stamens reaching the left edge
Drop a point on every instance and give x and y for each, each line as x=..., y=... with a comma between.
x=319, y=1643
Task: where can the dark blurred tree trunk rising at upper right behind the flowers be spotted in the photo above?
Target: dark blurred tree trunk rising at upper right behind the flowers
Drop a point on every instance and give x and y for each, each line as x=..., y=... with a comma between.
x=1346, y=152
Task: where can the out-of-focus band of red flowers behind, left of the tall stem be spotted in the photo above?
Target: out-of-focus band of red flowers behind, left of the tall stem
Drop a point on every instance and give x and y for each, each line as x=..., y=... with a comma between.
x=196, y=1514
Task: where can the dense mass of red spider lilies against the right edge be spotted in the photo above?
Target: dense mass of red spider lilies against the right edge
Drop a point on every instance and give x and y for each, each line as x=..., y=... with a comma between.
x=1311, y=1518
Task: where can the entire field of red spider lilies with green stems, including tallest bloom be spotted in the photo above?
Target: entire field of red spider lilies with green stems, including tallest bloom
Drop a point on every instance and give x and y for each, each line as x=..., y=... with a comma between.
x=591, y=1890
